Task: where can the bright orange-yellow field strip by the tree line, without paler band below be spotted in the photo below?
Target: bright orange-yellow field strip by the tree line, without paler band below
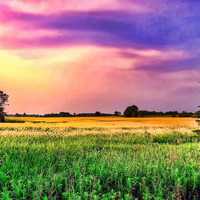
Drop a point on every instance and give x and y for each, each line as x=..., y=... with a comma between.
x=104, y=122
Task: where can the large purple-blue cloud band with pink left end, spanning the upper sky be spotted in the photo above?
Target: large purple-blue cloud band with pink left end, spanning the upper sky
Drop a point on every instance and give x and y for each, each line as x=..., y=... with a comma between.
x=102, y=27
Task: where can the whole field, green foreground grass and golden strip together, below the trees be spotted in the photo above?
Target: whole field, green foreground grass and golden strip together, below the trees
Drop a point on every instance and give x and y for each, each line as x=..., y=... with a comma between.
x=99, y=158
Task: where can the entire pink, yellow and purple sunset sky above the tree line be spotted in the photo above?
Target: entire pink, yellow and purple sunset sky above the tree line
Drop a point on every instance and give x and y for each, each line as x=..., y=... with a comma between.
x=87, y=56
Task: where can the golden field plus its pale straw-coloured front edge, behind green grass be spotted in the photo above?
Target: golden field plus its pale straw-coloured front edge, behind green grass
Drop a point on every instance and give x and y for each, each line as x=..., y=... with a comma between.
x=96, y=126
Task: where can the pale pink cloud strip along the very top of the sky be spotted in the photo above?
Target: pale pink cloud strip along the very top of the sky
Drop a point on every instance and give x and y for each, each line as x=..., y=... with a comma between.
x=76, y=5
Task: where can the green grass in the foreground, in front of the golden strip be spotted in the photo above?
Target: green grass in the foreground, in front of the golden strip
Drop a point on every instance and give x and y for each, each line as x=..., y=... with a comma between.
x=126, y=166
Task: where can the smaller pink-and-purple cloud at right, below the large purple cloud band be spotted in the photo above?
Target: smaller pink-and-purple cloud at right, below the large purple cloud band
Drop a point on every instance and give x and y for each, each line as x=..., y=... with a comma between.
x=163, y=61
